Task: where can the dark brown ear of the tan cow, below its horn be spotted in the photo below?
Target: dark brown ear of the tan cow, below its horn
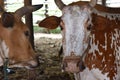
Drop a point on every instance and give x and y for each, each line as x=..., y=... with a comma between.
x=7, y=19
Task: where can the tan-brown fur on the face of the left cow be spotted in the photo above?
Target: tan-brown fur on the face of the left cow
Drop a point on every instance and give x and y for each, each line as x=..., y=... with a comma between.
x=18, y=44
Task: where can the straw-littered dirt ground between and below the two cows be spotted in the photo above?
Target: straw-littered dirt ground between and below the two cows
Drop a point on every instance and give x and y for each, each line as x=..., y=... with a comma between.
x=47, y=48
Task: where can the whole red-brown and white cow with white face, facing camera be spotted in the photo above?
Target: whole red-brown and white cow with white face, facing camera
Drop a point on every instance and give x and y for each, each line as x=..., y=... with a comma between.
x=91, y=39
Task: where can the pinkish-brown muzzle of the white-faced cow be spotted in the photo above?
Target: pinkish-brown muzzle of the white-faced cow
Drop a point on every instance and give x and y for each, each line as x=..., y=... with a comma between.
x=73, y=64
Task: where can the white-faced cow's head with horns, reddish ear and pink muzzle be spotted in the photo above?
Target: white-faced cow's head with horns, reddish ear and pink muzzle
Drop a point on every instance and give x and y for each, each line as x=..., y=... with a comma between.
x=76, y=25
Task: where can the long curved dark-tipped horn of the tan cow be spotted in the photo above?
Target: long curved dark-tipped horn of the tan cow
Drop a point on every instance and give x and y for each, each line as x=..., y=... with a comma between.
x=27, y=9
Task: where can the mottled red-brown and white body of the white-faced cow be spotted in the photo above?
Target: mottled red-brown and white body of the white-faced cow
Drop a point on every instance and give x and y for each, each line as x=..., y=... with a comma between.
x=103, y=57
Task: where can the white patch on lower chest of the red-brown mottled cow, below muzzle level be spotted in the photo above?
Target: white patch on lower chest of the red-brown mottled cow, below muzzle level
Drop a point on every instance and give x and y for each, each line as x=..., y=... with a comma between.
x=94, y=74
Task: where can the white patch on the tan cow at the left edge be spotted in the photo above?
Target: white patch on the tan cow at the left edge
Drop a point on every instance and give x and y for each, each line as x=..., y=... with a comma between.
x=4, y=50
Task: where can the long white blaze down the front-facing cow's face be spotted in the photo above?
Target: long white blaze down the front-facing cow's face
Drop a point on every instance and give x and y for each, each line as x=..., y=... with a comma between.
x=74, y=19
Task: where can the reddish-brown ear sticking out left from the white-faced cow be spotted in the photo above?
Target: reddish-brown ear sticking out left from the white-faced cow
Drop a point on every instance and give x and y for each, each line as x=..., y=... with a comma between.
x=50, y=22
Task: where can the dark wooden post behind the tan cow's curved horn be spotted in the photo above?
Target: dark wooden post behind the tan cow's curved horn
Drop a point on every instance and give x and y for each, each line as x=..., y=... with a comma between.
x=29, y=22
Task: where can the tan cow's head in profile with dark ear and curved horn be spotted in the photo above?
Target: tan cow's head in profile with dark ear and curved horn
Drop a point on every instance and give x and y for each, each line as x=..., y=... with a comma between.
x=14, y=39
